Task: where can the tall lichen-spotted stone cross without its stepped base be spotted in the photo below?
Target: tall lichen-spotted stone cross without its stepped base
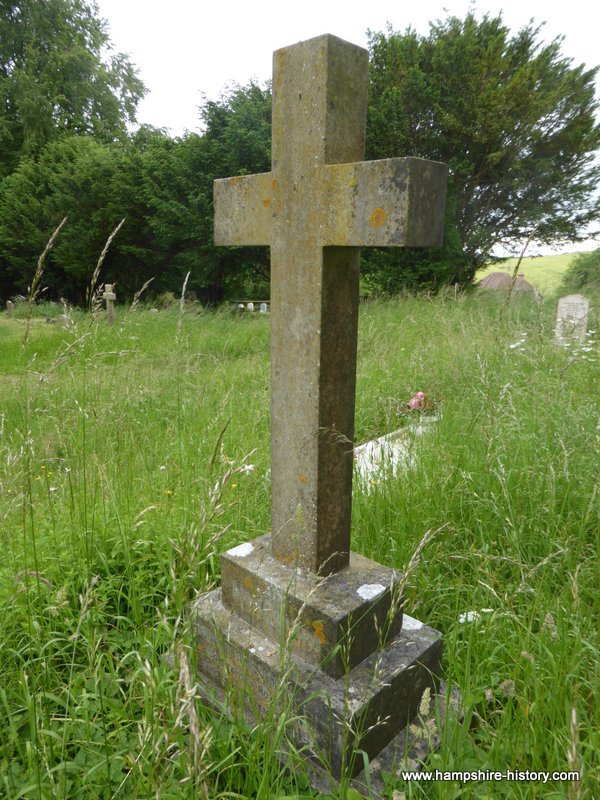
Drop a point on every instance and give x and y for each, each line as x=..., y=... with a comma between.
x=319, y=204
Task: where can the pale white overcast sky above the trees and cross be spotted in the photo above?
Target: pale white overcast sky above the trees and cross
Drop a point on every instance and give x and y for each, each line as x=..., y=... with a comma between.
x=187, y=48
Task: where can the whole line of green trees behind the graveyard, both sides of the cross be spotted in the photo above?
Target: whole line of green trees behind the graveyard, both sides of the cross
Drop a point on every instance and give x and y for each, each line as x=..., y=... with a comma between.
x=514, y=119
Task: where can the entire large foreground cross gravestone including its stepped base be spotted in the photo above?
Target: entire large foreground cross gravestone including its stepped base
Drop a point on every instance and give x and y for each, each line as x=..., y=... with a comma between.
x=297, y=612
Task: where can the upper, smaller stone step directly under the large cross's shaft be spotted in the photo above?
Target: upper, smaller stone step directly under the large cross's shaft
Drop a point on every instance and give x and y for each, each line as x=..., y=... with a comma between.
x=334, y=622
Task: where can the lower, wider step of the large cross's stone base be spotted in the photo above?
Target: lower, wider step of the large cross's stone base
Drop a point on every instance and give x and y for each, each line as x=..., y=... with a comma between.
x=332, y=718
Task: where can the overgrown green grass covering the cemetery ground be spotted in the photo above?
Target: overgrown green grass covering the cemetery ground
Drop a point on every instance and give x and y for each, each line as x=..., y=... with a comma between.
x=132, y=455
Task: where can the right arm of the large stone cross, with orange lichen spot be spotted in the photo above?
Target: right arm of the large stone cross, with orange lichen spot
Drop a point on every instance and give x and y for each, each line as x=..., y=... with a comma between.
x=392, y=202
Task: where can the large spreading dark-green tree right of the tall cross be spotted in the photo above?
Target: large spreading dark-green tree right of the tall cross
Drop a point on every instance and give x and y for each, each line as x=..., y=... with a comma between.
x=515, y=121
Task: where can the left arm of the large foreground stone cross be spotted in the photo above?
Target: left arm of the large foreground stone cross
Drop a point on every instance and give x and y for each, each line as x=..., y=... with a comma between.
x=243, y=209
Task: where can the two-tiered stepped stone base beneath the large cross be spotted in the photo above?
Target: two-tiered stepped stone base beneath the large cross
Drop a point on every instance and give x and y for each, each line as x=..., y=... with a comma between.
x=254, y=659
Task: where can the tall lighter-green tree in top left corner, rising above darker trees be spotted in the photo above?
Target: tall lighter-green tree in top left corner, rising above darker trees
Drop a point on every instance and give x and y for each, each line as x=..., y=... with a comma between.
x=56, y=78
